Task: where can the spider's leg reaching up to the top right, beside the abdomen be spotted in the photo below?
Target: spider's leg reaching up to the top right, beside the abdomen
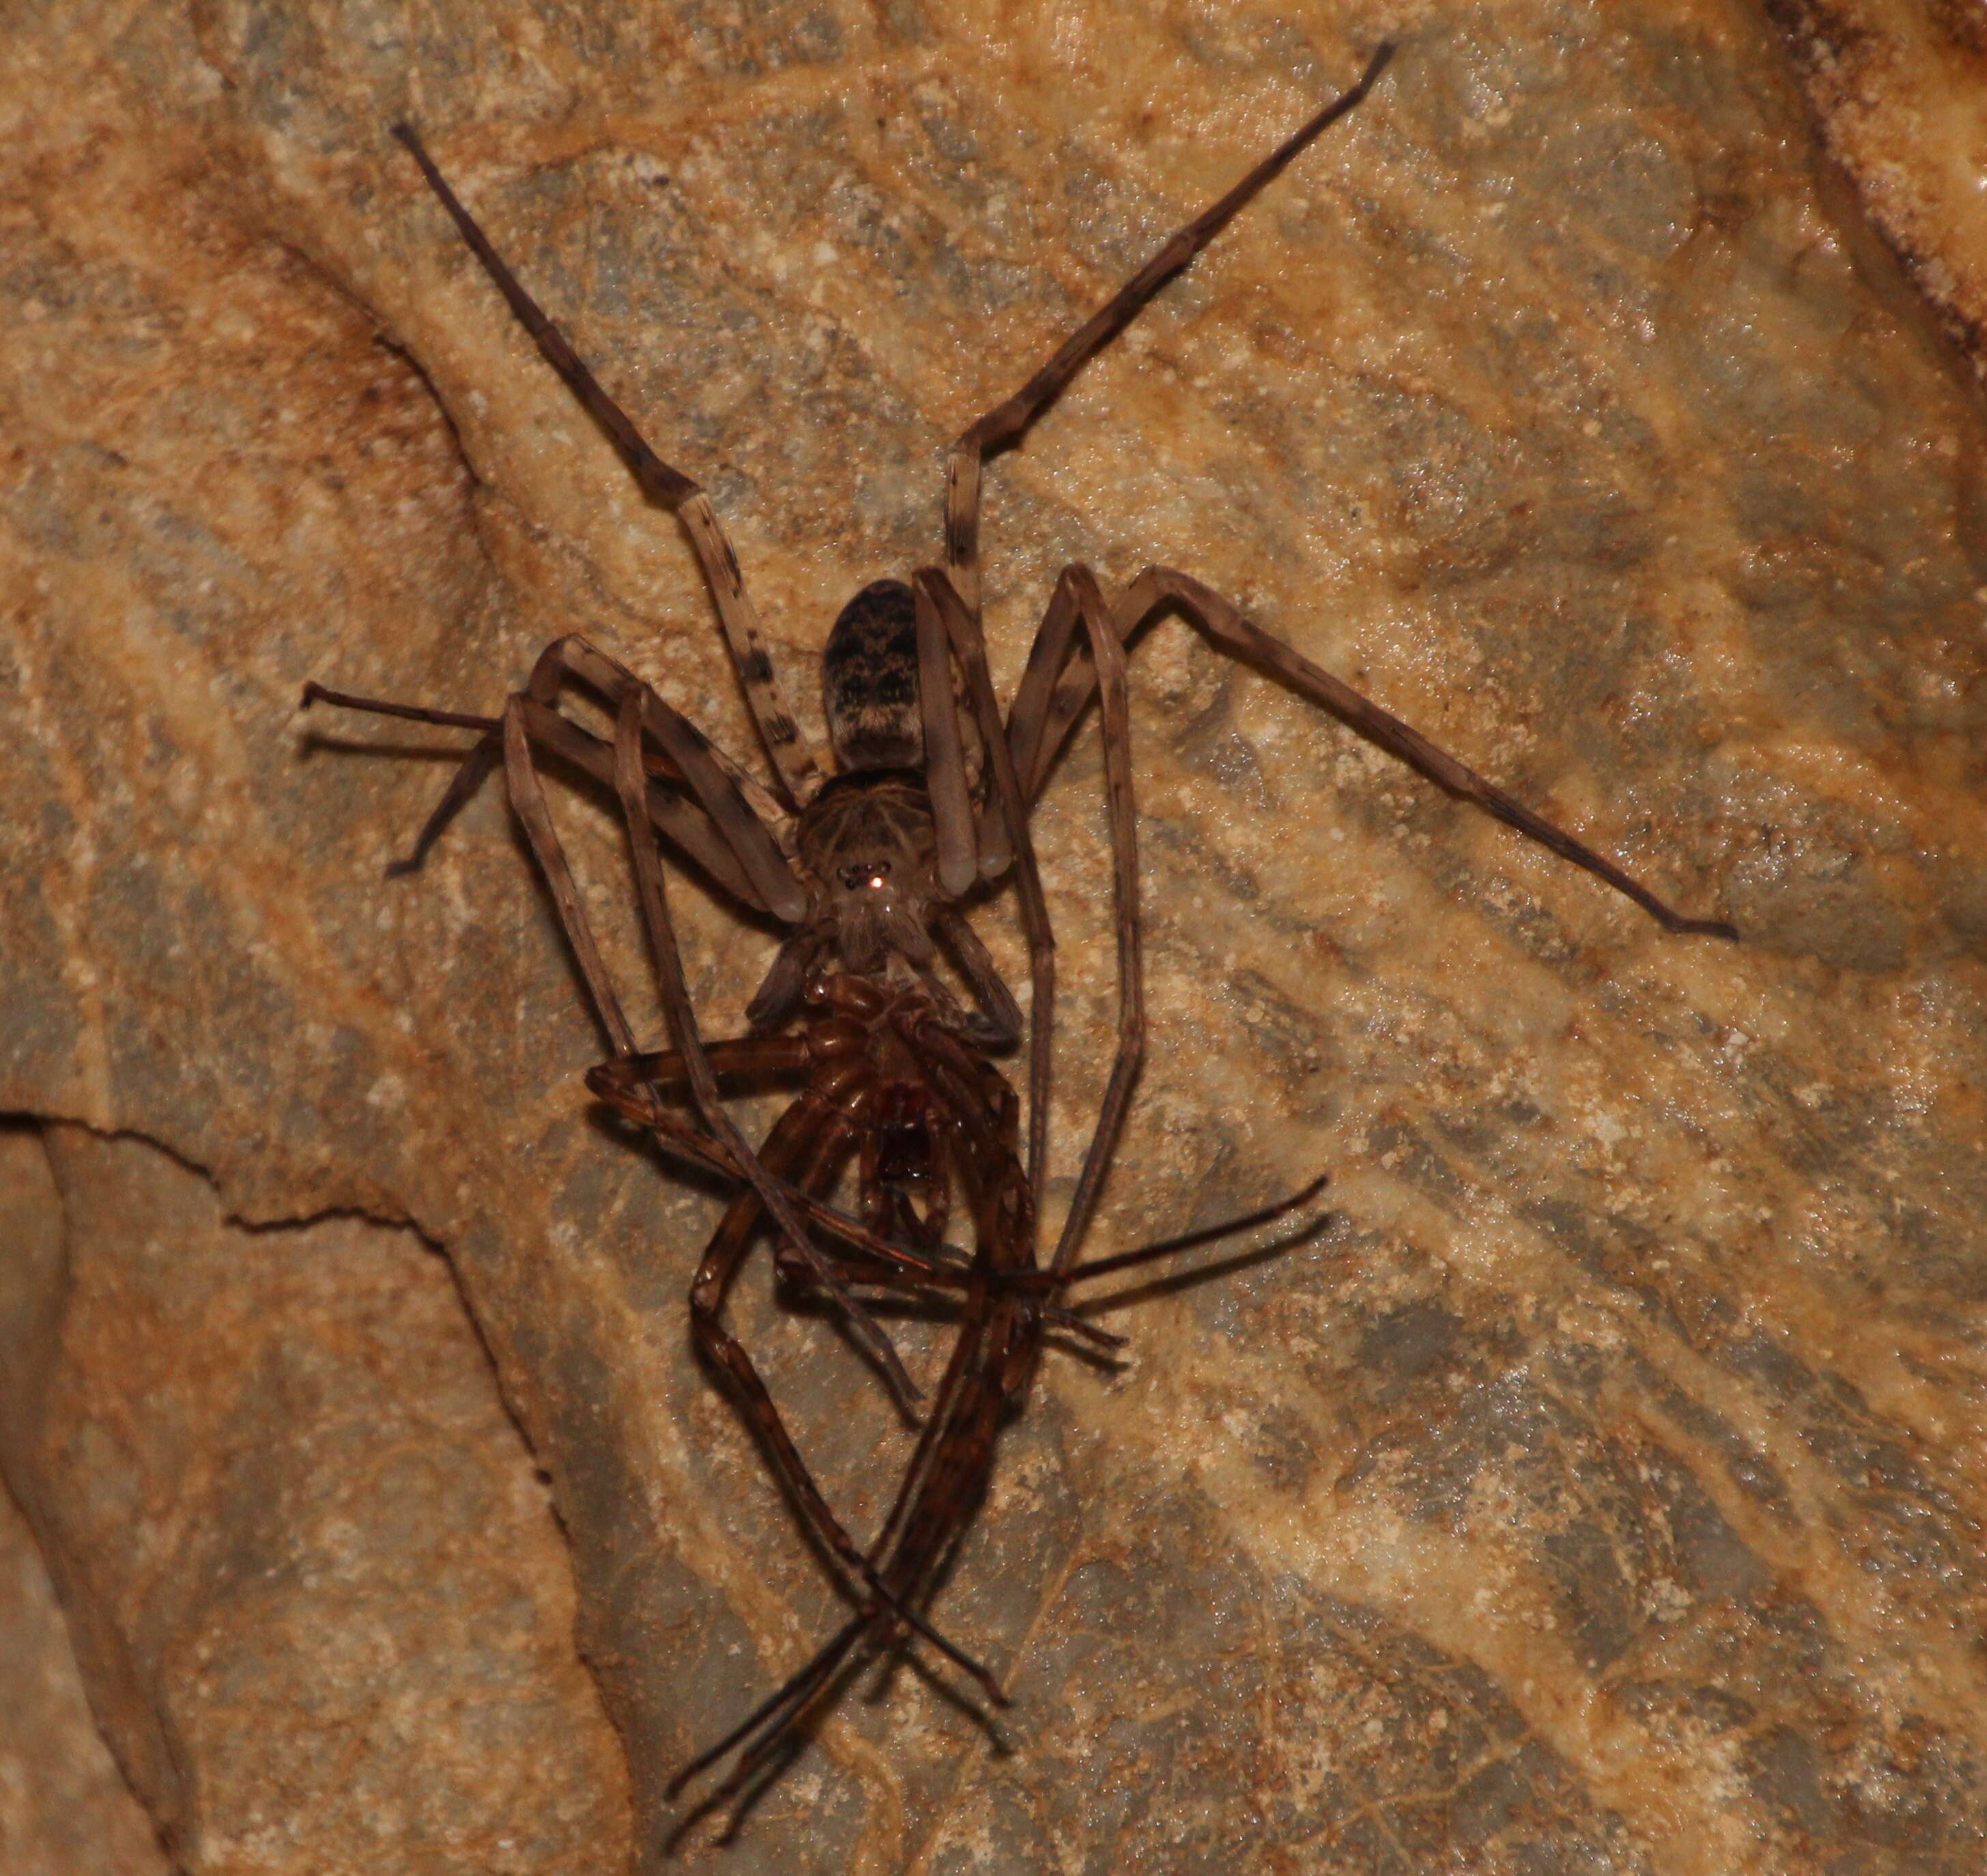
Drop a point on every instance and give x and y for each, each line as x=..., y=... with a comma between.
x=1008, y=422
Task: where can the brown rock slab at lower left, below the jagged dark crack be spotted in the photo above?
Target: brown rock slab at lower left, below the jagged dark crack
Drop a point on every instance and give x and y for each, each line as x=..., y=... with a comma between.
x=311, y=1573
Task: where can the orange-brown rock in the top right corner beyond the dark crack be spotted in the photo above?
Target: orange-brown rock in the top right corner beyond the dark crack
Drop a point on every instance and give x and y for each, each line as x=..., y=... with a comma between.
x=1903, y=94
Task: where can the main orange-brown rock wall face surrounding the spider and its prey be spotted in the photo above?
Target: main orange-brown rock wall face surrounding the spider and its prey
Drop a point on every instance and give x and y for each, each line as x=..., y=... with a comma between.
x=1603, y=1493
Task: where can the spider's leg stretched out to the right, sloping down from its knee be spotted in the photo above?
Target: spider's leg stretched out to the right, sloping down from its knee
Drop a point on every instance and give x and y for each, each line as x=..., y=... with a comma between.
x=1052, y=699
